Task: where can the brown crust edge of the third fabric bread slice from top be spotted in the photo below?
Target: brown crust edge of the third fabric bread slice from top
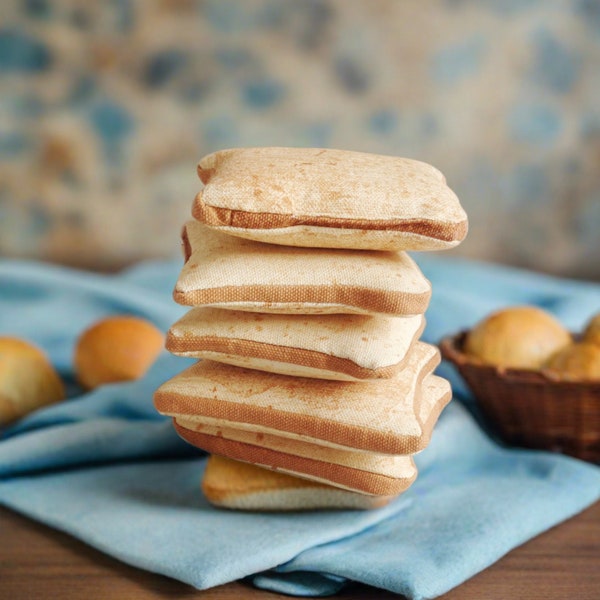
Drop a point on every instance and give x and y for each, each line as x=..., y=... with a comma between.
x=287, y=354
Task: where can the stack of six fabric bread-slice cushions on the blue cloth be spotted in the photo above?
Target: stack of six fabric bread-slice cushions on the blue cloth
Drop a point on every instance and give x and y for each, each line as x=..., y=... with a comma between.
x=314, y=389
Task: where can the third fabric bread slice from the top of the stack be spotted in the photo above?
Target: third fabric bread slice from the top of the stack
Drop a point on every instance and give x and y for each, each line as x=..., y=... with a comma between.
x=342, y=347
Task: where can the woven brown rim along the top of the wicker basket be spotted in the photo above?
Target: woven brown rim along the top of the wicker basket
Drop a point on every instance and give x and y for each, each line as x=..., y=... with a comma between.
x=451, y=349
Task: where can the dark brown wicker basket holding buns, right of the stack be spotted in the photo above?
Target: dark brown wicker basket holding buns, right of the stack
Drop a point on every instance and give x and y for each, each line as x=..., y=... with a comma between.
x=529, y=408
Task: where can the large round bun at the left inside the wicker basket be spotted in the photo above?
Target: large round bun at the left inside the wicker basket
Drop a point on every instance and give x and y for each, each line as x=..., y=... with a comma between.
x=522, y=337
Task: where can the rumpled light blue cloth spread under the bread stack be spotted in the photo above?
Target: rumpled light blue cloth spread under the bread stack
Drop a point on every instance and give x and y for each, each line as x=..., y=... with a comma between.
x=105, y=467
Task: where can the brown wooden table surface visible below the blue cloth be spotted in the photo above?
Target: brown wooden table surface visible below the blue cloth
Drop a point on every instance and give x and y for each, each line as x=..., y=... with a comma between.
x=39, y=562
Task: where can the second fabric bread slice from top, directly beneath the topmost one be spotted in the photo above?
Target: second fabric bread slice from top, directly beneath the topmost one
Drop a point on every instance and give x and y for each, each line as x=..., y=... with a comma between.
x=234, y=273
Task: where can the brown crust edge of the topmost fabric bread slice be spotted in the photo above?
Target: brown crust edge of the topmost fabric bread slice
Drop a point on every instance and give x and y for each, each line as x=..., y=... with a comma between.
x=216, y=216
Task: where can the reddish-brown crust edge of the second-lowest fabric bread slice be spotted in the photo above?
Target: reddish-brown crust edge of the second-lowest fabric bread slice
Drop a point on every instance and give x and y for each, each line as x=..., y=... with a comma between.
x=362, y=481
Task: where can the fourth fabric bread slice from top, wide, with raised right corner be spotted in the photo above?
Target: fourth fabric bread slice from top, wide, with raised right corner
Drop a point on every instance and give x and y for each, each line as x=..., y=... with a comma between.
x=376, y=415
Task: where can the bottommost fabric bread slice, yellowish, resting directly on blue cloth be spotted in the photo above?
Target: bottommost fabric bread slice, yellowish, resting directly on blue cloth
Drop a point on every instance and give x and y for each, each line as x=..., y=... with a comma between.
x=236, y=485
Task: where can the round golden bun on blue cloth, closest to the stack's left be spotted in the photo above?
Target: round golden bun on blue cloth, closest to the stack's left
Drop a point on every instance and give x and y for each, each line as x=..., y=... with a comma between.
x=119, y=348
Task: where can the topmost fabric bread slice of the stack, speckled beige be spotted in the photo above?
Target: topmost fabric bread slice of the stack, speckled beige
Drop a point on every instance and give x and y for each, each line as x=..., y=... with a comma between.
x=328, y=198
